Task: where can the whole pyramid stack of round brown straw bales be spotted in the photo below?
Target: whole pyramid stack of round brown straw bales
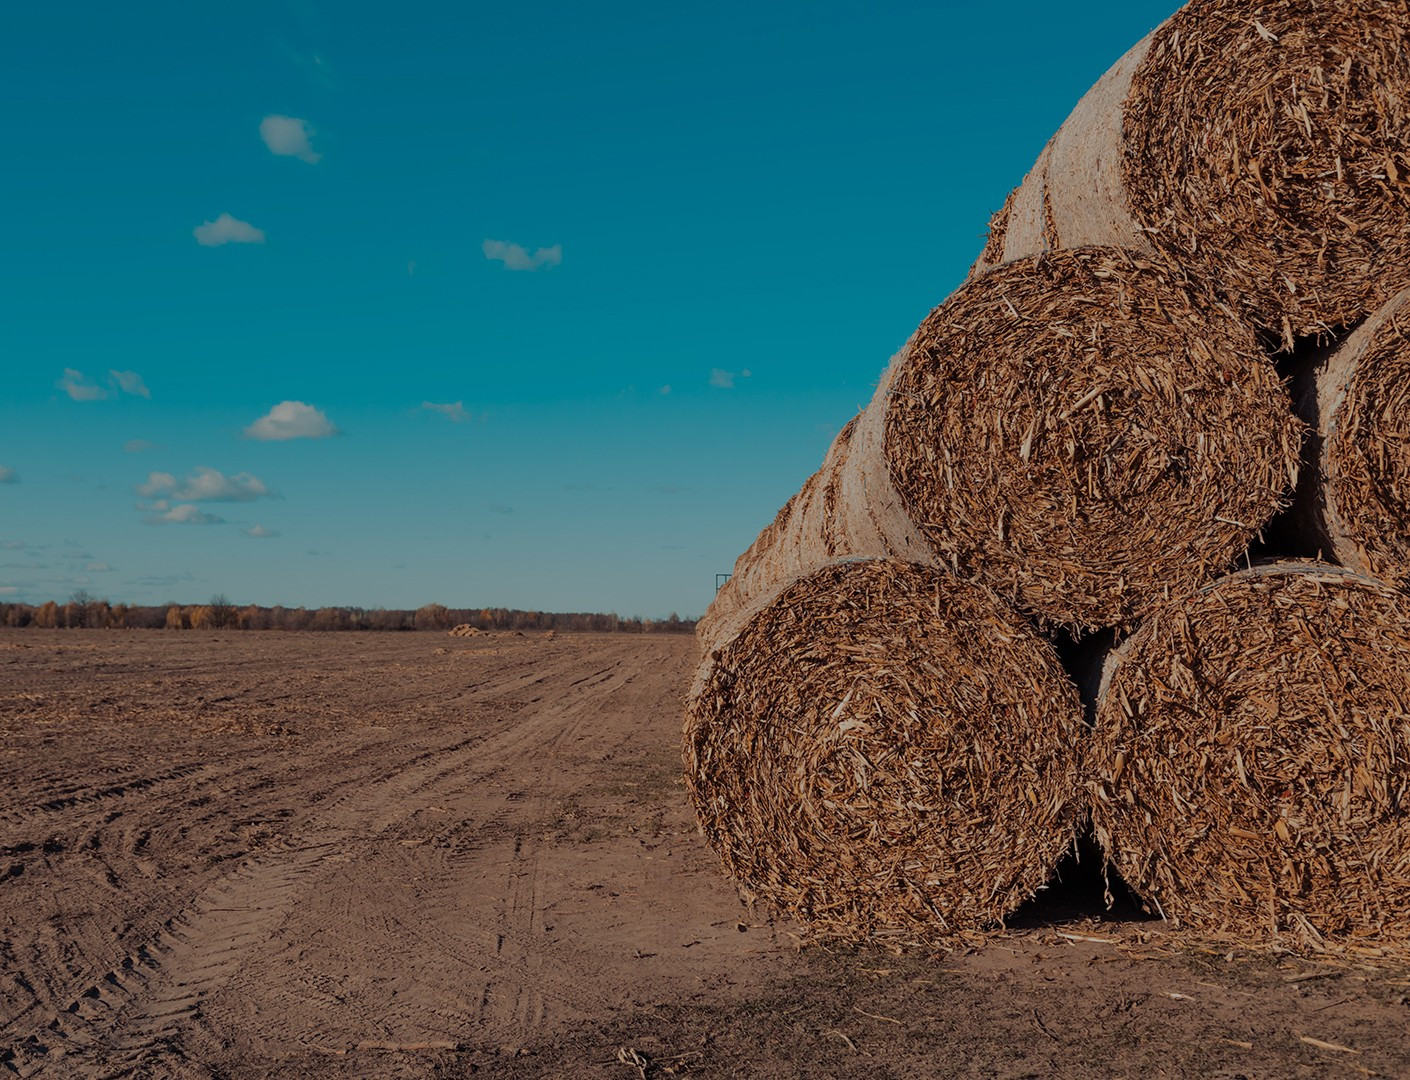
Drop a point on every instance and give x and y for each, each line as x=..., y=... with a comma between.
x=1089, y=435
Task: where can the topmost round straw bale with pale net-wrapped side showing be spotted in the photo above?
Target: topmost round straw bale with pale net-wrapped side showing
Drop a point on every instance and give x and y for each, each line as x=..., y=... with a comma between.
x=1260, y=146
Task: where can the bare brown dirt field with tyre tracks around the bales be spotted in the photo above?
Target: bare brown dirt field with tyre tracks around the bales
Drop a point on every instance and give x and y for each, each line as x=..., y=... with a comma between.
x=247, y=855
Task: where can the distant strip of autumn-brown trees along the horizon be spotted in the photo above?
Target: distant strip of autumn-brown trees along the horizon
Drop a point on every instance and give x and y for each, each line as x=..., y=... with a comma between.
x=221, y=614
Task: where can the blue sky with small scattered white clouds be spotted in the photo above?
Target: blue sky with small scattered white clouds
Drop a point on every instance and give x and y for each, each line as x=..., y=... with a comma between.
x=534, y=305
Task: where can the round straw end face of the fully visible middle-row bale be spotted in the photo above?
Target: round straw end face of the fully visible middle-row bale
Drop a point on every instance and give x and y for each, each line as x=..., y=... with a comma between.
x=1086, y=435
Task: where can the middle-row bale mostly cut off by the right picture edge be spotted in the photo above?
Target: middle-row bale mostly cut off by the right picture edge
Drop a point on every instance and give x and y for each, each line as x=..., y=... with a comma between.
x=1357, y=503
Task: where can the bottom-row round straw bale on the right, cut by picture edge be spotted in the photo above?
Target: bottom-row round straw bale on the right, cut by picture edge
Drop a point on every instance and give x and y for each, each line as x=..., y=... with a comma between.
x=1253, y=759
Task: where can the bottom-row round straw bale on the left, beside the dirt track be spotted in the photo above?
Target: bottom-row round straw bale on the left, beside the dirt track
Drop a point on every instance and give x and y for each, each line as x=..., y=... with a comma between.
x=886, y=754
